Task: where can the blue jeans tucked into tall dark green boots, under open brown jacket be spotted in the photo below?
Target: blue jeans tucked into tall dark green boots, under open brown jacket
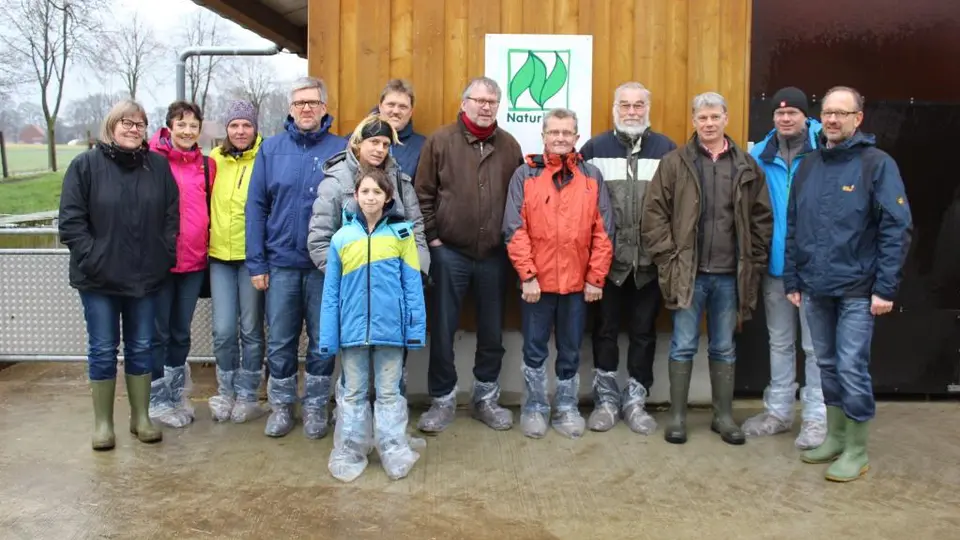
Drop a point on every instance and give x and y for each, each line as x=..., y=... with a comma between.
x=717, y=293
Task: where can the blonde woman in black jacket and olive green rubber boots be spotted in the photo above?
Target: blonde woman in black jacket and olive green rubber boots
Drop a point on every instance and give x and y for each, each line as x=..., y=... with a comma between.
x=119, y=216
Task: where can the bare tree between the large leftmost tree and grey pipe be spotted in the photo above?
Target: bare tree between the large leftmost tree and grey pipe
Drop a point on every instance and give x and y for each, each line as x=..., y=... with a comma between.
x=133, y=50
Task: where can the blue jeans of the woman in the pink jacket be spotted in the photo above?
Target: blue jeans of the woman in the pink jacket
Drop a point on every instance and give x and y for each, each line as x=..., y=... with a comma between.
x=176, y=301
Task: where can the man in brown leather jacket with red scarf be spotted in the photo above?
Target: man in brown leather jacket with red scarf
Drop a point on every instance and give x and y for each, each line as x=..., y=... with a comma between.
x=462, y=180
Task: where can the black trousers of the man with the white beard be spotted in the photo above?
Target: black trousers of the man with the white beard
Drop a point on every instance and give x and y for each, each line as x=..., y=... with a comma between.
x=642, y=307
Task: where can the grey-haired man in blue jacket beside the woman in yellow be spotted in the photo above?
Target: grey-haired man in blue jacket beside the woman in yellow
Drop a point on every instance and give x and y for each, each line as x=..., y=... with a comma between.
x=283, y=186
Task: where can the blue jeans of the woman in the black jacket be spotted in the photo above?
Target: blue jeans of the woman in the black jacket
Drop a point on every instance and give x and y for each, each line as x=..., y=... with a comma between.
x=103, y=314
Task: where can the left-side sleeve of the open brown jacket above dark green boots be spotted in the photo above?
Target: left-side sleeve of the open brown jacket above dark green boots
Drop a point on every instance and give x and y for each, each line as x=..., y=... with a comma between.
x=656, y=232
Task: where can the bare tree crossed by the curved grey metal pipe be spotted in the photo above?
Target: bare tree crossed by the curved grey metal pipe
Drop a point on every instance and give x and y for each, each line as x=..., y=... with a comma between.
x=202, y=29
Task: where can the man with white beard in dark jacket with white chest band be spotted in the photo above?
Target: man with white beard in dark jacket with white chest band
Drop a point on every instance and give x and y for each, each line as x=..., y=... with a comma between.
x=627, y=156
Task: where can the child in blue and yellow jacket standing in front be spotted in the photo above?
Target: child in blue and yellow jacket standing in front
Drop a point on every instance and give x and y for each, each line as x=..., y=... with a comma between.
x=373, y=308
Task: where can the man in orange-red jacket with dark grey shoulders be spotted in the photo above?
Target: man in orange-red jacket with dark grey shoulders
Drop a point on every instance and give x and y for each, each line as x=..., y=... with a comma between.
x=558, y=225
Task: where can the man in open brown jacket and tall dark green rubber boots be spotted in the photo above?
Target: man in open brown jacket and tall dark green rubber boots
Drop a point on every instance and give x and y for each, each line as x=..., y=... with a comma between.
x=707, y=224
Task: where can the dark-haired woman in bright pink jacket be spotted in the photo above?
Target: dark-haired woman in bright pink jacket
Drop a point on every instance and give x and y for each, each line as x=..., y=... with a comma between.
x=177, y=297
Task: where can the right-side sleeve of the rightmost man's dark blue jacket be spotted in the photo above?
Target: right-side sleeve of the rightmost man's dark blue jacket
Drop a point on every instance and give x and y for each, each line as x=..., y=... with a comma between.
x=895, y=227
